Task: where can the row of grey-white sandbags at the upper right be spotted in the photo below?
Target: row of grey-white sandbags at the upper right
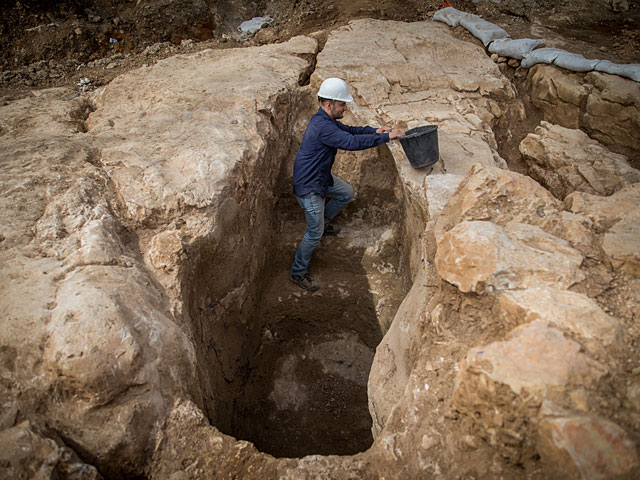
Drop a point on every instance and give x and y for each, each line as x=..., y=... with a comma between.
x=525, y=49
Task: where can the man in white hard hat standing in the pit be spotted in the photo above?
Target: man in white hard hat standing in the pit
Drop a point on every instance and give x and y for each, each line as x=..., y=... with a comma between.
x=313, y=181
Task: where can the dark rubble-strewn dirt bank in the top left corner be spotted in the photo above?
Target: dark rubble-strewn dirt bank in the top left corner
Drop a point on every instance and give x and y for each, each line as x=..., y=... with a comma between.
x=68, y=30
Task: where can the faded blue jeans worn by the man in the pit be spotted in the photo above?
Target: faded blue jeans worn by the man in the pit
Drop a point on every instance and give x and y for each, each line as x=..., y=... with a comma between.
x=318, y=216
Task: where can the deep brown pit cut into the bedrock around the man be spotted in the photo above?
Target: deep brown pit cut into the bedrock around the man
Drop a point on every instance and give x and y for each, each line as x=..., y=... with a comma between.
x=285, y=368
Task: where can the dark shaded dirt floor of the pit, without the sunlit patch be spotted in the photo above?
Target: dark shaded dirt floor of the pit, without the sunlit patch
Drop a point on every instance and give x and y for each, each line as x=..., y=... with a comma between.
x=306, y=387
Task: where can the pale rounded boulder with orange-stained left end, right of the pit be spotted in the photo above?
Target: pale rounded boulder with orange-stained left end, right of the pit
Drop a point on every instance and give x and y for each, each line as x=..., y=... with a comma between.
x=477, y=255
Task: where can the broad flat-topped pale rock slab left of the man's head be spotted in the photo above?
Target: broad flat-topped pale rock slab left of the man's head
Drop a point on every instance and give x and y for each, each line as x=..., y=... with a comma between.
x=158, y=170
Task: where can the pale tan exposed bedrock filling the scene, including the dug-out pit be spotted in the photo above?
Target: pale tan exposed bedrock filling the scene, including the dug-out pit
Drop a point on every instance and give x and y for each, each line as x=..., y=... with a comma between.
x=471, y=321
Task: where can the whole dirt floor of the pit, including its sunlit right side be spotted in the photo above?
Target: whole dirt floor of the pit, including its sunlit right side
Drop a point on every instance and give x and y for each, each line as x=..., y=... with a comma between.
x=305, y=388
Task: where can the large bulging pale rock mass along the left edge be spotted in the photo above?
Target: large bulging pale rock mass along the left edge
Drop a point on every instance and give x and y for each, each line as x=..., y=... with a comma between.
x=58, y=226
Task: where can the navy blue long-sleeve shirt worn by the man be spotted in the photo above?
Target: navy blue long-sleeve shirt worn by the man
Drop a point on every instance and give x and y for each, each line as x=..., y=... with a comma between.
x=321, y=141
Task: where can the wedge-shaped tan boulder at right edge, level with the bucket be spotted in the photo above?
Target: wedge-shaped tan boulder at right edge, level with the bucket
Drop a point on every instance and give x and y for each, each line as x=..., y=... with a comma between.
x=567, y=160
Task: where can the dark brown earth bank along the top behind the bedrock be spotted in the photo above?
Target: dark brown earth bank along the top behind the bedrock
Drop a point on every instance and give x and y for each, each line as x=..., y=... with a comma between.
x=46, y=44
